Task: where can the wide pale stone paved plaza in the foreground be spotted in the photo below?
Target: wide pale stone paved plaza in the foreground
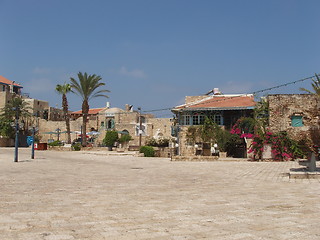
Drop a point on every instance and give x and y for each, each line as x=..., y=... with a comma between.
x=76, y=195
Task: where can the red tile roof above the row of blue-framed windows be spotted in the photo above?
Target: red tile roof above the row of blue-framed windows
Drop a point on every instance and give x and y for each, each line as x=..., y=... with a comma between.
x=221, y=102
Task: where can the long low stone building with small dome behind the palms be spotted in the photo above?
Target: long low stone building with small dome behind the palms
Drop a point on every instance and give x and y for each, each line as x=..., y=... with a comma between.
x=125, y=121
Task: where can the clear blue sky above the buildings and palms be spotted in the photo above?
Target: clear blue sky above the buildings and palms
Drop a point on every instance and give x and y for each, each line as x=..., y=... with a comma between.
x=154, y=53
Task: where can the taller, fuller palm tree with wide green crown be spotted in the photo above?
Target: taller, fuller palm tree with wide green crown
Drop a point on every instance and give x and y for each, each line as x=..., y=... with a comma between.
x=86, y=87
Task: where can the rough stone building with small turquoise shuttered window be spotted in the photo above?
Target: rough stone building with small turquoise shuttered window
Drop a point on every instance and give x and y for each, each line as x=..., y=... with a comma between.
x=297, y=114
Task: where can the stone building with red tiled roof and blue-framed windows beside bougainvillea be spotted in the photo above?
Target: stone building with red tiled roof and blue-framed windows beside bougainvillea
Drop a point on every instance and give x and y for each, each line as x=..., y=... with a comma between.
x=224, y=110
